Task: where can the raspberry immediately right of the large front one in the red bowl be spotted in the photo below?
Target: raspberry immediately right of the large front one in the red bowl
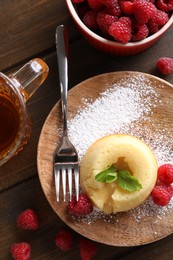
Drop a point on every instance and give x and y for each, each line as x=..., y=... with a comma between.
x=140, y=32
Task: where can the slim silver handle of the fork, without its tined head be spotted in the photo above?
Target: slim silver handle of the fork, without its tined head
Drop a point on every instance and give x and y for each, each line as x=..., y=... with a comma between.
x=62, y=54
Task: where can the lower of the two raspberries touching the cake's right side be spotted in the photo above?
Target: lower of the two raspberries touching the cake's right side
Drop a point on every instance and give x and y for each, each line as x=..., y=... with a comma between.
x=162, y=194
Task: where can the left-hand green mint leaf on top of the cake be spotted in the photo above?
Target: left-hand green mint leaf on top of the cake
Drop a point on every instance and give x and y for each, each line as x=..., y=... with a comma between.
x=108, y=175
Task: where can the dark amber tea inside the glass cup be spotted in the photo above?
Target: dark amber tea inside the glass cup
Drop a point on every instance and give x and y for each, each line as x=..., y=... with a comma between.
x=9, y=122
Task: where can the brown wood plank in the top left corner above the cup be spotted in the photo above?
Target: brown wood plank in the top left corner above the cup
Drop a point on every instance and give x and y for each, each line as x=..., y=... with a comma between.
x=28, y=28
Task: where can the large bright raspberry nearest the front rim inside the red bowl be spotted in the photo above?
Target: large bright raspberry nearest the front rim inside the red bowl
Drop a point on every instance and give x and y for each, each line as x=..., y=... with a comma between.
x=121, y=30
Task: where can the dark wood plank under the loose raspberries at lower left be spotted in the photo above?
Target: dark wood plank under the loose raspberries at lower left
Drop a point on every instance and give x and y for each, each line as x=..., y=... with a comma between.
x=30, y=195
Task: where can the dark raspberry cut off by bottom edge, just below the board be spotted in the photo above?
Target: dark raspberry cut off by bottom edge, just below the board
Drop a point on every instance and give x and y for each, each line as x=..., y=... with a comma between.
x=88, y=249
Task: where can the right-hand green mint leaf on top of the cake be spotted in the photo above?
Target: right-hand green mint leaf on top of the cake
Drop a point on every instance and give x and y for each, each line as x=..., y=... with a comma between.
x=127, y=181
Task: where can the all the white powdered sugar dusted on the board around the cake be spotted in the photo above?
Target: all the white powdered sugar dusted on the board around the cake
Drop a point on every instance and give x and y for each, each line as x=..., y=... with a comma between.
x=126, y=107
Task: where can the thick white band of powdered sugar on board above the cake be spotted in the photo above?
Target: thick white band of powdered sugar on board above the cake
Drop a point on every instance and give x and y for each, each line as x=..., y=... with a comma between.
x=113, y=112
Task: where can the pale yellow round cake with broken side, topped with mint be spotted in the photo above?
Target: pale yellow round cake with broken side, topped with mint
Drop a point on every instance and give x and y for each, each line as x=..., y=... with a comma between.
x=126, y=153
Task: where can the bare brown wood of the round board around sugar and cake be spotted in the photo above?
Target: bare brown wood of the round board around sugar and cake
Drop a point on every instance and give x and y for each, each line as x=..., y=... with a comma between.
x=121, y=229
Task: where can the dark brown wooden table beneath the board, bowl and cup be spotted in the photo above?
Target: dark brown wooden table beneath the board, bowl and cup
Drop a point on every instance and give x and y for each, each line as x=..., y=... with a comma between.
x=27, y=31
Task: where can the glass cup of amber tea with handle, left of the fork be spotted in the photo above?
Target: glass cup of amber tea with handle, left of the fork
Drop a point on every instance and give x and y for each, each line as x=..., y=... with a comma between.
x=15, y=90
